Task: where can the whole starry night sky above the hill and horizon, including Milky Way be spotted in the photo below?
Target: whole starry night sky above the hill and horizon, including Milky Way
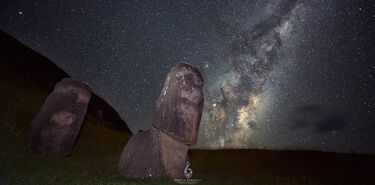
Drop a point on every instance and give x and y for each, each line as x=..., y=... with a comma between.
x=278, y=74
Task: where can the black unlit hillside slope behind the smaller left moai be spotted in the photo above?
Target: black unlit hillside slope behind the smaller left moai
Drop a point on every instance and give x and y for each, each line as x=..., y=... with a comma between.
x=22, y=67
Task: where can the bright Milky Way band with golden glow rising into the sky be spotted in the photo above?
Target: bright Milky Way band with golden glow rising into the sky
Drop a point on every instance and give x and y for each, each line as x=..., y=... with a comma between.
x=238, y=93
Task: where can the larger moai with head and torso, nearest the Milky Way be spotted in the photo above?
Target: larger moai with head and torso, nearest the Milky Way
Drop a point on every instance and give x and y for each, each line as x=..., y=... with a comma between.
x=161, y=151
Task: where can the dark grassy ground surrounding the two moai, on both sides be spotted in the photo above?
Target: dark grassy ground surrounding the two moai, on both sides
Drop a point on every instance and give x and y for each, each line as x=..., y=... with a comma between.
x=95, y=156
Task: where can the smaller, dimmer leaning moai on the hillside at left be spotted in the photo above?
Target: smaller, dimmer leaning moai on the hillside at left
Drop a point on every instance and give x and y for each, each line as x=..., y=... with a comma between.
x=56, y=126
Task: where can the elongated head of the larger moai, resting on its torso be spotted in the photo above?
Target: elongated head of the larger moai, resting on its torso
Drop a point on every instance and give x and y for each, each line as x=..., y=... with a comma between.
x=180, y=104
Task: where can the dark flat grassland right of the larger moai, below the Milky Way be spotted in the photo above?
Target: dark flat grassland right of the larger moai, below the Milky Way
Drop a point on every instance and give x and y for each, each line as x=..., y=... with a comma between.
x=284, y=167
